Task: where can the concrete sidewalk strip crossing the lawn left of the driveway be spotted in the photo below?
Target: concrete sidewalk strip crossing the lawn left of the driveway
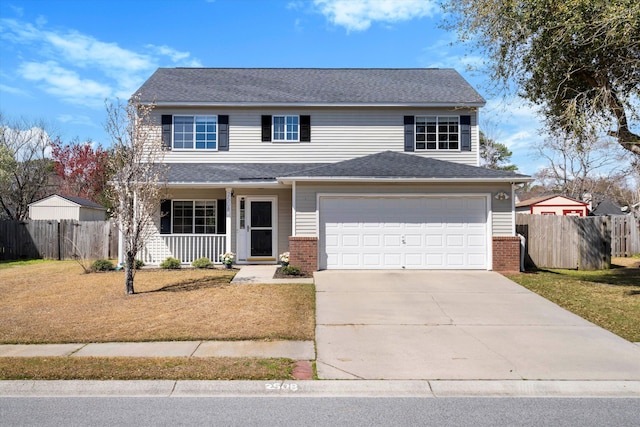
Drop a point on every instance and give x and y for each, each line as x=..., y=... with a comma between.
x=296, y=350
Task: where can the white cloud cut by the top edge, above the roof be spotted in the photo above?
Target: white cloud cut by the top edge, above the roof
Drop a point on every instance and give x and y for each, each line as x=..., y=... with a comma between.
x=358, y=15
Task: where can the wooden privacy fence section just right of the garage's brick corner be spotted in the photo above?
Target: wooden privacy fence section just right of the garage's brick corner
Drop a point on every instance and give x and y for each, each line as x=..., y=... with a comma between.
x=566, y=241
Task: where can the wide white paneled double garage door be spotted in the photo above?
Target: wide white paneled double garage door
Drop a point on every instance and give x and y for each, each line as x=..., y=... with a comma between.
x=403, y=232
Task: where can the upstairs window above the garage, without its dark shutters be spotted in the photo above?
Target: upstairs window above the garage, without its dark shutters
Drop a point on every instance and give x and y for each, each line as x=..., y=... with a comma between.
x=437, y=133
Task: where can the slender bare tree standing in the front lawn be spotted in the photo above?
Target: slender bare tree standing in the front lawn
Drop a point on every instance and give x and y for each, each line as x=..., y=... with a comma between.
x=138, y=182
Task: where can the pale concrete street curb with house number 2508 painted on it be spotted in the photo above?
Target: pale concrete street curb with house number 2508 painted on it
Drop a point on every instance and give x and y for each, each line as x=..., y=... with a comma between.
x=329, y=388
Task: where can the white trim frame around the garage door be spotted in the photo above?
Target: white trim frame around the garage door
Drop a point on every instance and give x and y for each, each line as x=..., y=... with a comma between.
x=486, y=196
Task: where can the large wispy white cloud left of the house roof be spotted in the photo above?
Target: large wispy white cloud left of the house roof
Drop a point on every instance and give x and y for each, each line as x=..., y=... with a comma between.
x=80, y=69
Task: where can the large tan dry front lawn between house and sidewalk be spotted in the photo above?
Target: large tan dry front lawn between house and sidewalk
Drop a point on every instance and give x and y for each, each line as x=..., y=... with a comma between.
x=55, y=302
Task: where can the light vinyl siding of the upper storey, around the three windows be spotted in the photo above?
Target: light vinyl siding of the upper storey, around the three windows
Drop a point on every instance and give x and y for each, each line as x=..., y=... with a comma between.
x=336, y=134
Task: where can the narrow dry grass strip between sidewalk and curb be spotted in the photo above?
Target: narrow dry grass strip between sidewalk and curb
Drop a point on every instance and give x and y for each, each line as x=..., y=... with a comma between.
x=122, y=368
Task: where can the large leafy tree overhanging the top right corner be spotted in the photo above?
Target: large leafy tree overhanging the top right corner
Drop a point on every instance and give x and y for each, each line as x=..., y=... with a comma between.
x=578, y=60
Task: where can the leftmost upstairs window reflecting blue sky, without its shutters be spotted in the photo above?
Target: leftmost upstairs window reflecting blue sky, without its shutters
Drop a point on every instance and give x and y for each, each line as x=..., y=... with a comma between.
x=195, y=132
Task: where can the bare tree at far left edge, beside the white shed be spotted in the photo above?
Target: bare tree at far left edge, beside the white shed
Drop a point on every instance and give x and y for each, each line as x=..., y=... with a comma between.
x=24, y=166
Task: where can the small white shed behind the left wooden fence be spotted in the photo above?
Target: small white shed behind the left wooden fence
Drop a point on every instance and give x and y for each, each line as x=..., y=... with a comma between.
x=58, y=207
